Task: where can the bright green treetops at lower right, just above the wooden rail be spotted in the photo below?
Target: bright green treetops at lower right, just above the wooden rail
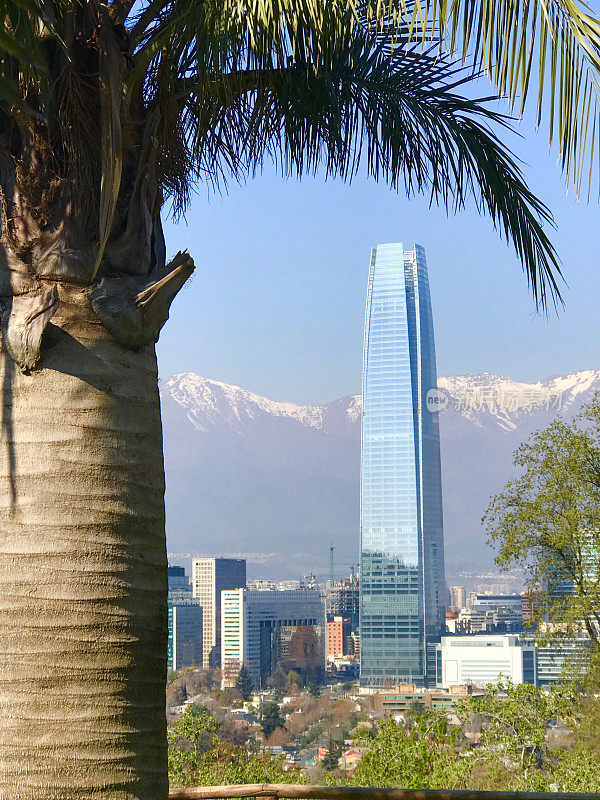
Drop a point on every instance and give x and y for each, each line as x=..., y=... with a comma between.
x=513, y=751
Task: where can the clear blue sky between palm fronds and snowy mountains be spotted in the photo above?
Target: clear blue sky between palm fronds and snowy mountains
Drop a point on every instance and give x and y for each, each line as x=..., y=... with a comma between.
x=277, y=301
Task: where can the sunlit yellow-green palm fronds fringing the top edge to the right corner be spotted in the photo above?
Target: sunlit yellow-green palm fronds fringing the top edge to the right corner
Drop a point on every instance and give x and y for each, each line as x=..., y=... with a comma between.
x=546, y=48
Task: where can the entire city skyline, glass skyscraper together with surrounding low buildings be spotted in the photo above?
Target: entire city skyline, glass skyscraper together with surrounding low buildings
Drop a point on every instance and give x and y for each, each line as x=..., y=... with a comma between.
x=395, y=624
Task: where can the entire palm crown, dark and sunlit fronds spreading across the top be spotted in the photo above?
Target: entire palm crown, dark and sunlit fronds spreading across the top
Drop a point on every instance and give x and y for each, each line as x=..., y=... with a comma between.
x=104, y=103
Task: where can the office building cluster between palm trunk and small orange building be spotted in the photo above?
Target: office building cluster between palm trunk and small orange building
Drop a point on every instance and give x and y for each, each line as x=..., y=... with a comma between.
x=219, y=620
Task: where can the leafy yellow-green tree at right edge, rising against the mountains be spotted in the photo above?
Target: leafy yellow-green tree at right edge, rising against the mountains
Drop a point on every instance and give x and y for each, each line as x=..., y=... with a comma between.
x=547, y=521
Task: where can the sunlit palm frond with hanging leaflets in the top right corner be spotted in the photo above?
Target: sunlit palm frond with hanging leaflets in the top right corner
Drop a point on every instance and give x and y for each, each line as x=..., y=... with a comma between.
x=546, y=49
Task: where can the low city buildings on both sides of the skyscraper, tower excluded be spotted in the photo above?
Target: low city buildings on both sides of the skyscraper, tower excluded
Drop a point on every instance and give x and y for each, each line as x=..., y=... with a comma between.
x=315, y=632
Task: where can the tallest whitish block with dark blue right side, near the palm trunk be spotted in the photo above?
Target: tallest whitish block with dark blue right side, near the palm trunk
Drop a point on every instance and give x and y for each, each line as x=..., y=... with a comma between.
x=210, y=576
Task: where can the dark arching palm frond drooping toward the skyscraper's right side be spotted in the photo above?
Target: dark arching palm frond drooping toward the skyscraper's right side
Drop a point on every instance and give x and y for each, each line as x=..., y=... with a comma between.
x=397, y=113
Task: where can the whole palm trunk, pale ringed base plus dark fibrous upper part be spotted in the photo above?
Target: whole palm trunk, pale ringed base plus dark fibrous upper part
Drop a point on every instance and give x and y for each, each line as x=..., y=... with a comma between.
x=84, y=292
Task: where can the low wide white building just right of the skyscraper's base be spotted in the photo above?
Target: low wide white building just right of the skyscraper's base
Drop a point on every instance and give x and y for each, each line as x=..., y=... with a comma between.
x=483, y=659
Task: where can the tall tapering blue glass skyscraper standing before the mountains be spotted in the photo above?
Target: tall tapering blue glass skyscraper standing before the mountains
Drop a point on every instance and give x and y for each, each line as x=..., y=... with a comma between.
x=403, y=591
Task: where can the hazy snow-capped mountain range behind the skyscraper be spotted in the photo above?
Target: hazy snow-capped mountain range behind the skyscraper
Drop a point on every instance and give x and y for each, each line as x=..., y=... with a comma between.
x=247, y=474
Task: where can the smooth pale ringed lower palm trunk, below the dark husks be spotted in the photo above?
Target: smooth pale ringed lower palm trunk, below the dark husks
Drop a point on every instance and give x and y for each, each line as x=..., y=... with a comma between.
x=83, y=583
